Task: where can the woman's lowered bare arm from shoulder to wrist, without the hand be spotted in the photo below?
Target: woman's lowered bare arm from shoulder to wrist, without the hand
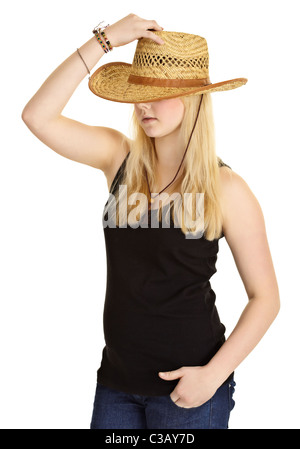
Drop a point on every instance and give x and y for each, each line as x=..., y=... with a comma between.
x=245, y=232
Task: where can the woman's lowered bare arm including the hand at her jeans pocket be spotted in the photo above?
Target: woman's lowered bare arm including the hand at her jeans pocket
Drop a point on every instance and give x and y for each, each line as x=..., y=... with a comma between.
x=245, y=232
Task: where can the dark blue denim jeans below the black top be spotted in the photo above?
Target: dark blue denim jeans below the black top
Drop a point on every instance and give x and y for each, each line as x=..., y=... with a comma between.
x=114, y=409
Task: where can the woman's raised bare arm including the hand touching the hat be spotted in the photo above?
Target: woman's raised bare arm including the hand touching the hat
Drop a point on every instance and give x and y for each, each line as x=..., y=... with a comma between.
x=96, y=146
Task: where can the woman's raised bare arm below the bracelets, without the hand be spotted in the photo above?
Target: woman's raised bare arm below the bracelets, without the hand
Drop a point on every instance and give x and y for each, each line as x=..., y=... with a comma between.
x=69, y=138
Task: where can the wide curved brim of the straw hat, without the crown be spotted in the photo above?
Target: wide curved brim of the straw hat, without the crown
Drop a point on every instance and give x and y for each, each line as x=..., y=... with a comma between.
x=110, y=82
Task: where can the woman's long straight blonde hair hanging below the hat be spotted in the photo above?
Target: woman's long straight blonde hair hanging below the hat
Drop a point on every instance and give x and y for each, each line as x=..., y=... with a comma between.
x=200, y=174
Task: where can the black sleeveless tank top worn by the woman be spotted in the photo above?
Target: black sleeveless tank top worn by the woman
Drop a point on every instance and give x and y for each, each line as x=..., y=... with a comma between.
x=159, y=311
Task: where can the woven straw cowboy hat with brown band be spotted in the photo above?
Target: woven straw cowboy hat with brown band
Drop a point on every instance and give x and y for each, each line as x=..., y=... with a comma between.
x=179, y=67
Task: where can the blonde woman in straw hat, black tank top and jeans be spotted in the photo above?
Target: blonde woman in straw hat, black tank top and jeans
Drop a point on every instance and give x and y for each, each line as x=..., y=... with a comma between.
x=166, y=363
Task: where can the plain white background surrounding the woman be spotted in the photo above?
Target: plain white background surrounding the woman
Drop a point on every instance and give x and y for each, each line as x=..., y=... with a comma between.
x=53, y=262
